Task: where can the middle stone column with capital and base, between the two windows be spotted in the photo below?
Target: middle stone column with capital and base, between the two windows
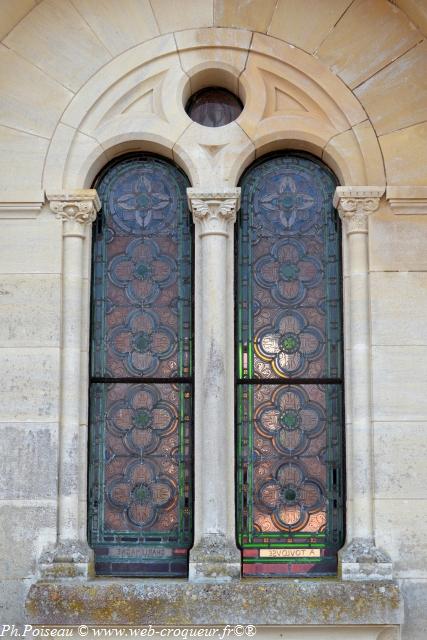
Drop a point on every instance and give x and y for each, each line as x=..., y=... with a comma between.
x=214, y=556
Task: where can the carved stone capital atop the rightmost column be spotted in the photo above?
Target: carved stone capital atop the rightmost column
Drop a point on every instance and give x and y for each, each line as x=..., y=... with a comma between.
x=355, y=204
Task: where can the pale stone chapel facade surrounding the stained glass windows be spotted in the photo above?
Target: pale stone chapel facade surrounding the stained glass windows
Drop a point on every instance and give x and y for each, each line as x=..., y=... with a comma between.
x=86, y=82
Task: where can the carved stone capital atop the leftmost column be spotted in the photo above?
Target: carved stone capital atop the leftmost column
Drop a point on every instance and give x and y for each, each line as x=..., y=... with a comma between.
x=79, y=206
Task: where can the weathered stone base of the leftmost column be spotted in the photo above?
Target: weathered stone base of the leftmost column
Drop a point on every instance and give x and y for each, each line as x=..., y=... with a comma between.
x=68, y=559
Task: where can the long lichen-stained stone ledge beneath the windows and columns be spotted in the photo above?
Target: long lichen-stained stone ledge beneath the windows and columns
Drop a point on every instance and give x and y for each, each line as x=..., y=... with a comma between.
x=176, y=602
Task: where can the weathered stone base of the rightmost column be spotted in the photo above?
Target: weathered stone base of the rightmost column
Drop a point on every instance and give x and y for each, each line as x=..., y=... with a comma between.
x=360, y=559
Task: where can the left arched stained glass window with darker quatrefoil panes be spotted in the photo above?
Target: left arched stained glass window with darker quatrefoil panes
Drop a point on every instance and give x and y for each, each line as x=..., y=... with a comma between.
x=141, y=371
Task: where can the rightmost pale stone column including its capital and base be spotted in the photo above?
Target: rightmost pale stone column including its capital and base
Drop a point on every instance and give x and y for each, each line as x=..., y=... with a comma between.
x=360, y=558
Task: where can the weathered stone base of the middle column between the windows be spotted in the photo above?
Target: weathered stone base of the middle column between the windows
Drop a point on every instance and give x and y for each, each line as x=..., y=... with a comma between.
x=214, y=559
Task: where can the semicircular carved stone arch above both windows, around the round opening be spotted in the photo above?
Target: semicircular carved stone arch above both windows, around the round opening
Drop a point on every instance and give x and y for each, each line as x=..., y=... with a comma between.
x=136, y=101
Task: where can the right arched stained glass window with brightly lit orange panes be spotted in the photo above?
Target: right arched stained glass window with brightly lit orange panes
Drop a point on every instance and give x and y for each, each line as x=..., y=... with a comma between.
x=289, y=370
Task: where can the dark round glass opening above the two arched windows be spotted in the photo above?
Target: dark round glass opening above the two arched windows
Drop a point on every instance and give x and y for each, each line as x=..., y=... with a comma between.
x=214, y=107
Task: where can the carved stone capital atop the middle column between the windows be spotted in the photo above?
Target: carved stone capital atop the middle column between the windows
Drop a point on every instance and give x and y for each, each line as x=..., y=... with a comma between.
x=213, y=210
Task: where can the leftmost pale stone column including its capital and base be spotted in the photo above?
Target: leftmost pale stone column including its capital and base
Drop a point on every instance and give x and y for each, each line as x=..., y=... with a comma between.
x=71, y=557
